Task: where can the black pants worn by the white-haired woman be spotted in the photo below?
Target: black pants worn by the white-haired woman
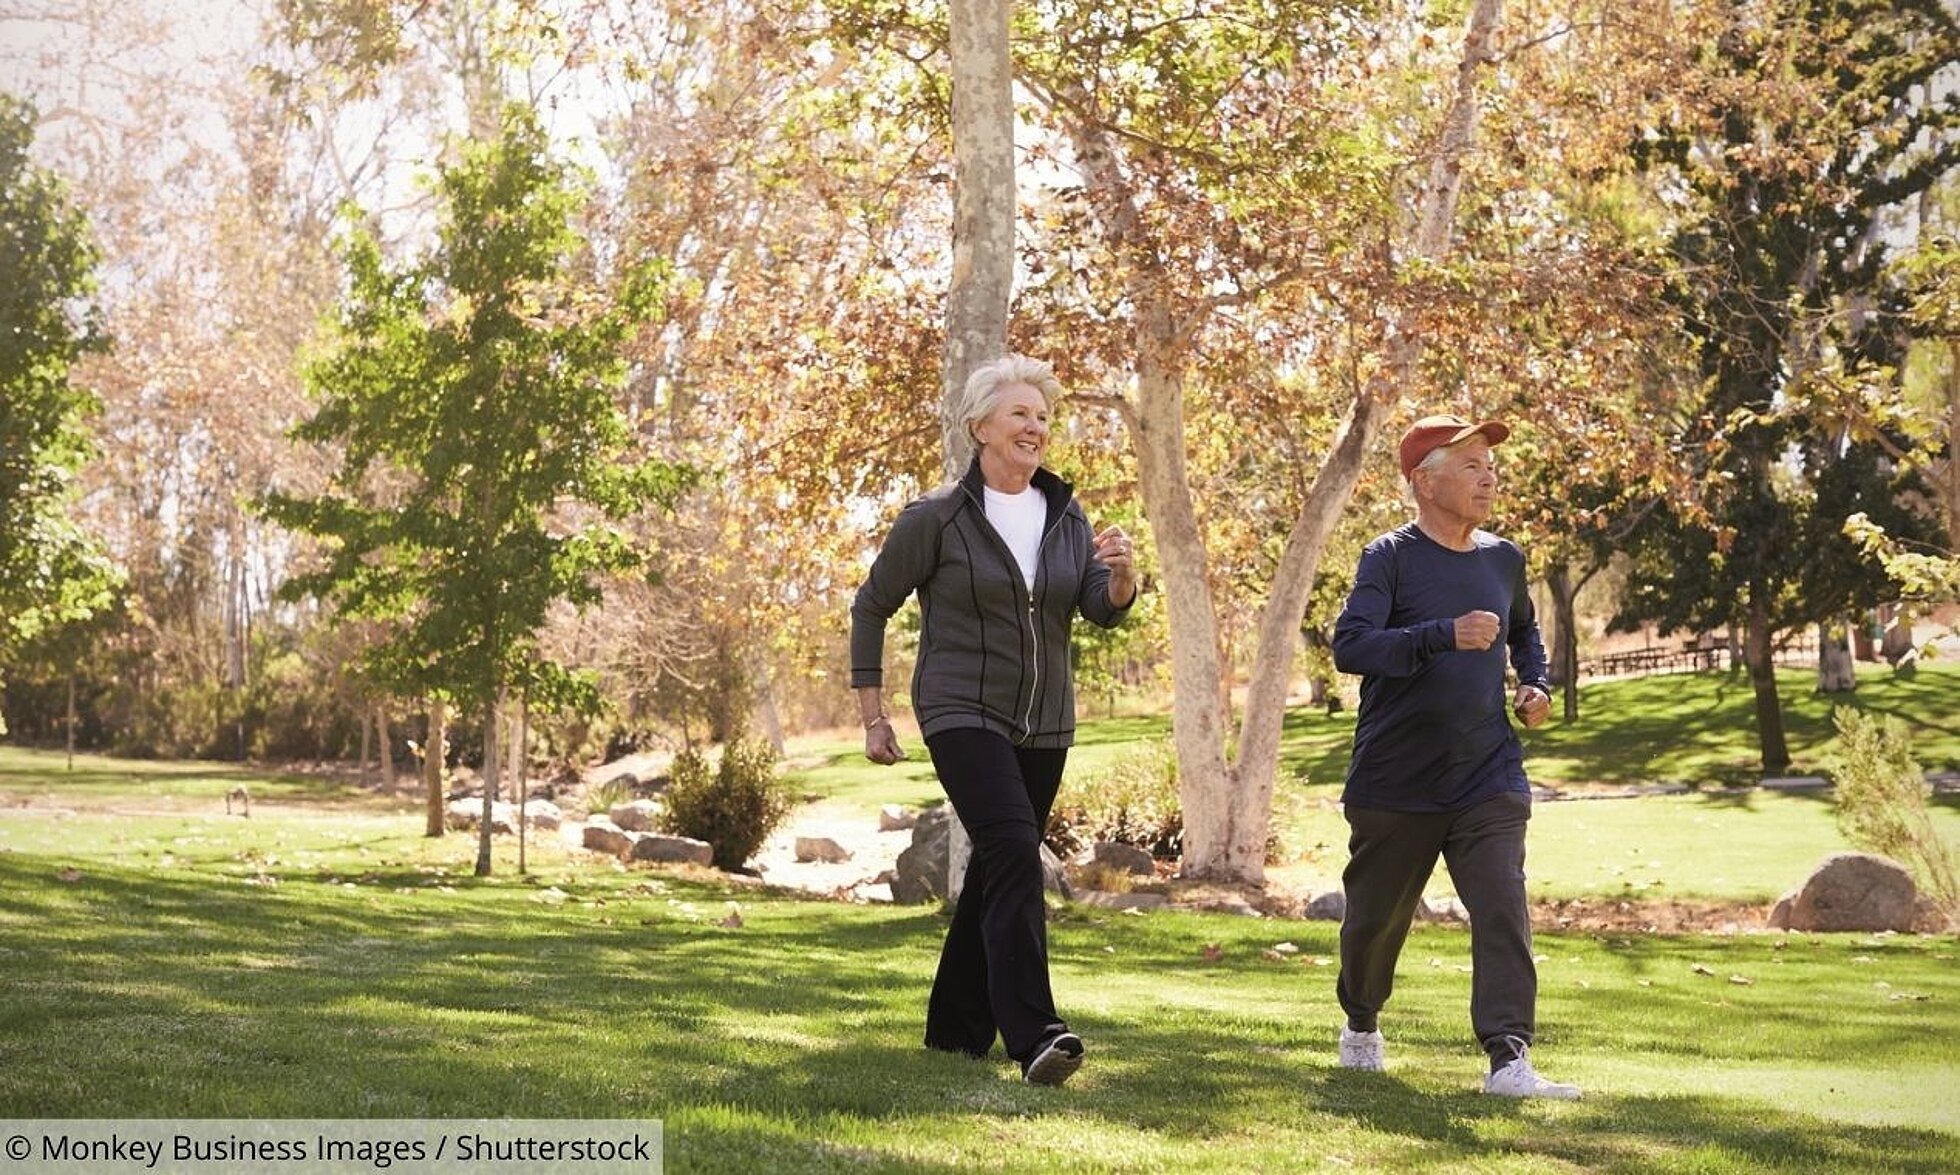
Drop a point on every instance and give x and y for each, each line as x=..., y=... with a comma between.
x=995, y=966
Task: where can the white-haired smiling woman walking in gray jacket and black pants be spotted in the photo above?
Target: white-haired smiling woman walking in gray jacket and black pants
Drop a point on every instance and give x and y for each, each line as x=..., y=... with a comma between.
x=1001, y=562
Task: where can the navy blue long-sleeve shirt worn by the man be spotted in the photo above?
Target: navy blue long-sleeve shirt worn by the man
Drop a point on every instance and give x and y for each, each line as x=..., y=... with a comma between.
x=1434, y=733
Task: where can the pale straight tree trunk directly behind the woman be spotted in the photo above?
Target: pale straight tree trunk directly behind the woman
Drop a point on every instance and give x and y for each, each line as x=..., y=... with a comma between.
x=983, y=248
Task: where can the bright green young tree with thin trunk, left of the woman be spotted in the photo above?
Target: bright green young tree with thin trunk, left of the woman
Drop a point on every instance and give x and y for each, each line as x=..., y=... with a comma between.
x=485, y=462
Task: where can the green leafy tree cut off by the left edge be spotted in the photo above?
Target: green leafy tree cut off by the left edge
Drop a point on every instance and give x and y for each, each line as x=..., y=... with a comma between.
x=52, y=574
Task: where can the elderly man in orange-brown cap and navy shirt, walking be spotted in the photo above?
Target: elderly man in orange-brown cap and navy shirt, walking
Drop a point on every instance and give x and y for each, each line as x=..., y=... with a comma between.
x=1438, y=770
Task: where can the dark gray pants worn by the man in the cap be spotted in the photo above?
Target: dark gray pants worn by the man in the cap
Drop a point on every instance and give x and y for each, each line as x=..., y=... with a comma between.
x=1391, y=858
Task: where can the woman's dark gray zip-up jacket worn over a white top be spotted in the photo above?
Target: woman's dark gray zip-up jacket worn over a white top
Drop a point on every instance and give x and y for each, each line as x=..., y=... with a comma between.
x=993, y=654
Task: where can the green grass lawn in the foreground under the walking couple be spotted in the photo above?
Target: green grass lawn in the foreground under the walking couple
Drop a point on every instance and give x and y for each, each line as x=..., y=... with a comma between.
x=324, y=960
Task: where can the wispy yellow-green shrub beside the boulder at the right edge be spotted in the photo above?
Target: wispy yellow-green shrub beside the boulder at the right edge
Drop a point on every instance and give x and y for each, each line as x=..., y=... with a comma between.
x=1883, y=803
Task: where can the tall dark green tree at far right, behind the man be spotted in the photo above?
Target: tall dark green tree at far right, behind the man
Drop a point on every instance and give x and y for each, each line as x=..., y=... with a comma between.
x=1806, y=127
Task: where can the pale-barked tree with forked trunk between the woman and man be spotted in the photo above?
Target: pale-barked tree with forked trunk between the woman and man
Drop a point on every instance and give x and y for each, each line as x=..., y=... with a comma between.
x=1202, y=146
